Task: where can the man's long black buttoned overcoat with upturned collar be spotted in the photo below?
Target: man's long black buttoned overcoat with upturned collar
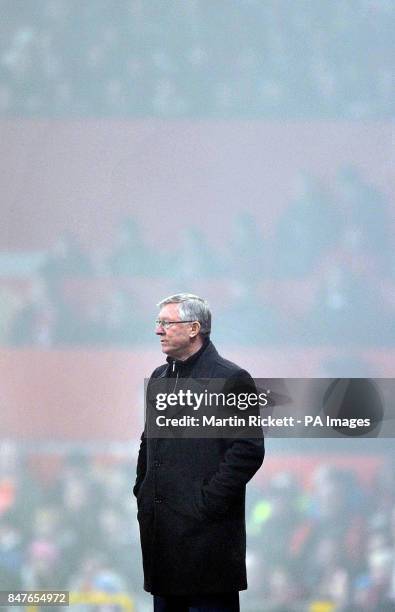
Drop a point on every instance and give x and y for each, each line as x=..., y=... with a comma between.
x=191, y=500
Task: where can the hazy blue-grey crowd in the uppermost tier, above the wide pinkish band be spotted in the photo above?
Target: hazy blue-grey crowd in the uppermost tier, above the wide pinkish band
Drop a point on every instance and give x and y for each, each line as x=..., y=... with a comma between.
x=278, y=58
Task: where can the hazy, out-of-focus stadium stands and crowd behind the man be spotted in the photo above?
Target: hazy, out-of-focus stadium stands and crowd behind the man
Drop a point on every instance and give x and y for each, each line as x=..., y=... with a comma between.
x=240, y=150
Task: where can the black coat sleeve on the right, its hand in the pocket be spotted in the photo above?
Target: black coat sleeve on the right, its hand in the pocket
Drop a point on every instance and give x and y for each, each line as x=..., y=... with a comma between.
x=243, y=457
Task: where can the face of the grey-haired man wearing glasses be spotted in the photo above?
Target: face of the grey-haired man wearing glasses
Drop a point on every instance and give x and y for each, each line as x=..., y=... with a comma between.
x=176, y=340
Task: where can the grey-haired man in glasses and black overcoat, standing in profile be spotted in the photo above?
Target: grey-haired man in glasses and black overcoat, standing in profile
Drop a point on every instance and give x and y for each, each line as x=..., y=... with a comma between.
x=191, y=492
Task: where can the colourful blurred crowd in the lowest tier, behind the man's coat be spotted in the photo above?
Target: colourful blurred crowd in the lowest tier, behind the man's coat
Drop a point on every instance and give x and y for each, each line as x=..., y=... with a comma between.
x=325, y=538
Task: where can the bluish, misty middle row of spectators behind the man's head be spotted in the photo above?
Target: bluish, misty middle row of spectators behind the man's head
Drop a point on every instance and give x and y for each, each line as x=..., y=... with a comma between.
x=323, y=273
